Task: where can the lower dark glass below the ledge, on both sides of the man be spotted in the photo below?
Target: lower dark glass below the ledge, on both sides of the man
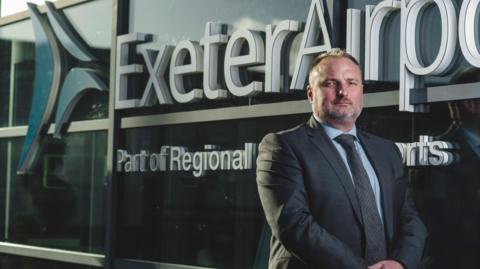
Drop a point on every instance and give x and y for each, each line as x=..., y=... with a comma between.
x=215, y=220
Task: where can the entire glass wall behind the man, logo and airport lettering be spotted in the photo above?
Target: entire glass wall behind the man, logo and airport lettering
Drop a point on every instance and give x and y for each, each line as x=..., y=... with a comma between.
x=208, y=218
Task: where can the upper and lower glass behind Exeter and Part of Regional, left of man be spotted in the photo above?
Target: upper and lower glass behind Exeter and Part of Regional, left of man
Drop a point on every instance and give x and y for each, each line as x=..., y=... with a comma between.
x=213, y=219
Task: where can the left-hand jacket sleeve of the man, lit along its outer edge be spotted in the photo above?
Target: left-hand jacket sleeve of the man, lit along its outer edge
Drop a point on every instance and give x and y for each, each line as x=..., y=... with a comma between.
x=286, y=204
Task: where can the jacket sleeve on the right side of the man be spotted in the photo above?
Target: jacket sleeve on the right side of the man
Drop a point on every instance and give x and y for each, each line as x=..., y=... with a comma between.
x=412, y=233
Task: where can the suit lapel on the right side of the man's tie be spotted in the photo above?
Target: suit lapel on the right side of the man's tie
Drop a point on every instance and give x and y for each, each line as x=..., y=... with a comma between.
x=380, y=165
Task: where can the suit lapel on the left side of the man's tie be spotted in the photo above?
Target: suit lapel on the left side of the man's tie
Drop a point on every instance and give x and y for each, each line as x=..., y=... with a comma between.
x=320, y=139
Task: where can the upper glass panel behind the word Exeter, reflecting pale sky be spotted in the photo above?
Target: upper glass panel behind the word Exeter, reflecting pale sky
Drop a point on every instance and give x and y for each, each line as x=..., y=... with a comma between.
x=161, y=19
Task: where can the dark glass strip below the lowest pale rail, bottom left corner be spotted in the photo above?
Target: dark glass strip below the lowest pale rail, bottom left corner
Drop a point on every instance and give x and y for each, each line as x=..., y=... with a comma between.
x=11, y=261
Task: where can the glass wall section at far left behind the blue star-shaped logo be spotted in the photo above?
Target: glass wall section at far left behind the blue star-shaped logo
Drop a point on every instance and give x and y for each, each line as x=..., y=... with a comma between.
x=60, y=203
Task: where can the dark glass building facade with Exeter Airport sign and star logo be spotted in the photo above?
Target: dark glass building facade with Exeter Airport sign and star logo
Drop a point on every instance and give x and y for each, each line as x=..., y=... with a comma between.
x=129, y=129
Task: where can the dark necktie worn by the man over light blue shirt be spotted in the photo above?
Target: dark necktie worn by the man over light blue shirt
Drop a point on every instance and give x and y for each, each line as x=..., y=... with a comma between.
x=375, y=244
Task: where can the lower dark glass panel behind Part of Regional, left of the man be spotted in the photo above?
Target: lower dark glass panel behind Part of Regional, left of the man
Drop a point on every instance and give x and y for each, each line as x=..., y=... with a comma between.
x=213, y=220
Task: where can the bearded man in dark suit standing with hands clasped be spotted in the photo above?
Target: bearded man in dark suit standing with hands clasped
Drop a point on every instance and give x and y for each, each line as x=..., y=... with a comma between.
x=335, y=196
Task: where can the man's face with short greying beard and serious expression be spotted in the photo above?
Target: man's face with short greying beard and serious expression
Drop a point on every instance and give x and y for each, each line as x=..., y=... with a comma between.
x=336, y=91
